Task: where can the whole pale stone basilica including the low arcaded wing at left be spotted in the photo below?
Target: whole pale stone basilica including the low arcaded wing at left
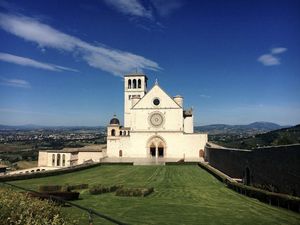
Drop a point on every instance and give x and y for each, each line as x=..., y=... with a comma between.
x=156, y=128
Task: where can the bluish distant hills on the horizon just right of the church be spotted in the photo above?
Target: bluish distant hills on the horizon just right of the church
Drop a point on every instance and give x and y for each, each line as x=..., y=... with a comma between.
x=251, y=129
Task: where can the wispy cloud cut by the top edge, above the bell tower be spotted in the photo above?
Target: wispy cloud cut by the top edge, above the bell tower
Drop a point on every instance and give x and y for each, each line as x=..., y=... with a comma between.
x=130, y=7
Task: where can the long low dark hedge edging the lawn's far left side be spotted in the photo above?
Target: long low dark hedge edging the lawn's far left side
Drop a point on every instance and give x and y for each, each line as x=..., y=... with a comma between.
x=47, y=173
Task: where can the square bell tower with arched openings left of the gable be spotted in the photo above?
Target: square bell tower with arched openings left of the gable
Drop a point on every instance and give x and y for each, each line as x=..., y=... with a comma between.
x=135, y=87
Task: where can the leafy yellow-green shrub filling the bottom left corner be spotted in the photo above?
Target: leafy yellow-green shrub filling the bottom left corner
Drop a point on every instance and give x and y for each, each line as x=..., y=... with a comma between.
x=20, y=208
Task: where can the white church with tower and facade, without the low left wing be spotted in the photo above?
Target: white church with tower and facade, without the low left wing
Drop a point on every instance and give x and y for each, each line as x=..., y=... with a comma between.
x=155, y=125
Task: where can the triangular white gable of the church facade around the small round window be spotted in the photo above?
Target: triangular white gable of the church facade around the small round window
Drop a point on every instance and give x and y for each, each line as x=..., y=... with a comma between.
x=156, y=92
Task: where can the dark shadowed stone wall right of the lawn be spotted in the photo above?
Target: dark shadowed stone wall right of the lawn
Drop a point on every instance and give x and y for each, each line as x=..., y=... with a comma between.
x=272, y=168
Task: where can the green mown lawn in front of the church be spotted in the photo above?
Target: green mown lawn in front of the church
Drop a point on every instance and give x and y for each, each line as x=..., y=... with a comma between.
x=183, y=195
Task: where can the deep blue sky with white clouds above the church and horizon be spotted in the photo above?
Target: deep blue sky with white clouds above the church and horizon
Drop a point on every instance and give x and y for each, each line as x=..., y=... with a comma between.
x=235, y=62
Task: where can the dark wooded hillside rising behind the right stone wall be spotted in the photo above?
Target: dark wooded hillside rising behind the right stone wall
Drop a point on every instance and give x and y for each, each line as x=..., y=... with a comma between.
x=284, y=136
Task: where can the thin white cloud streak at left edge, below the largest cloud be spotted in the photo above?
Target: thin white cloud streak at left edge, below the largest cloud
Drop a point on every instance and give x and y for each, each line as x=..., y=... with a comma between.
x=32, y=63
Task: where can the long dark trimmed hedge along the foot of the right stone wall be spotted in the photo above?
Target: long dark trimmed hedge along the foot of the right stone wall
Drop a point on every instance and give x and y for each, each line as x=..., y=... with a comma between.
x=276, y=199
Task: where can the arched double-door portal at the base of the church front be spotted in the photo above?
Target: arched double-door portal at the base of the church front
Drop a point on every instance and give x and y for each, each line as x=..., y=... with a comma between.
x=156, y=147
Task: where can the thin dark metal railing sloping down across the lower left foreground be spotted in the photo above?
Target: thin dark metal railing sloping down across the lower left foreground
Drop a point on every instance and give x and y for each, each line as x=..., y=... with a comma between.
x=91, y=212
